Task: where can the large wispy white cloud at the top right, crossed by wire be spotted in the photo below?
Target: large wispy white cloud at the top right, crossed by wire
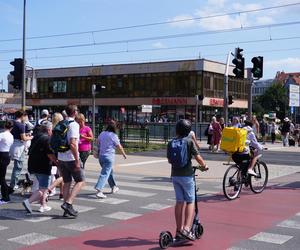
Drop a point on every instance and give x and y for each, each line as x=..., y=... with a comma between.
x=214, y=7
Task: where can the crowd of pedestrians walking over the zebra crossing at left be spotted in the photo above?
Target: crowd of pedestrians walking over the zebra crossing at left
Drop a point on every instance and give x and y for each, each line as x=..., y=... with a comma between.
x=51, y=167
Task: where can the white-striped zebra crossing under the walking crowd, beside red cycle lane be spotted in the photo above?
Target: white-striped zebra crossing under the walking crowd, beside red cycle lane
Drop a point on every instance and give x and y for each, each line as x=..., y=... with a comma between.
x=137, y=195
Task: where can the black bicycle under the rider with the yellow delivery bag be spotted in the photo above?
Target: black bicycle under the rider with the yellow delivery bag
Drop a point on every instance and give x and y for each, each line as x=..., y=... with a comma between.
x=237, y=175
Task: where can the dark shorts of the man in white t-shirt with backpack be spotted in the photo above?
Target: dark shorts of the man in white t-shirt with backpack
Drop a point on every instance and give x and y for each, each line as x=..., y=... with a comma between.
x=68, y=170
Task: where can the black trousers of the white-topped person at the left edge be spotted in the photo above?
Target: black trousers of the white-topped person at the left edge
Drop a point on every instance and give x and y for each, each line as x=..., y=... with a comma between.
x=5, y=189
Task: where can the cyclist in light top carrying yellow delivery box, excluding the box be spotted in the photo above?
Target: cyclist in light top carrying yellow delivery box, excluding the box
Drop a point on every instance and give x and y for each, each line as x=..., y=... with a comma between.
x=252, y=142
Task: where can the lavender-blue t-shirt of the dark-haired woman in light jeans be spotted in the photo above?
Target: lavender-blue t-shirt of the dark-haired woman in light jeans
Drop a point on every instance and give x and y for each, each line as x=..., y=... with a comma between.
x=108, y=142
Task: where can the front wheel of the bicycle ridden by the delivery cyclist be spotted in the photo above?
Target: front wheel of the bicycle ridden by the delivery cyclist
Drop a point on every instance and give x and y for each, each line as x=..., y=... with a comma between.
x=259, y=182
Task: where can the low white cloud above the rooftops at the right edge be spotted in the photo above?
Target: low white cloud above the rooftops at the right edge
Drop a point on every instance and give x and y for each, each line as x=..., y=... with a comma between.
x=290, y=64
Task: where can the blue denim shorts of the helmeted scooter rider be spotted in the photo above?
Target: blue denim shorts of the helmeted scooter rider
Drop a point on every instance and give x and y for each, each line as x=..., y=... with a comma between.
x=184, y=187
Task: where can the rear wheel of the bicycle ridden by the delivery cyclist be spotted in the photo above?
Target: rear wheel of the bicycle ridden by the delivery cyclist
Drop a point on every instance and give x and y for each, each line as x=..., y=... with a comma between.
x=232, y=182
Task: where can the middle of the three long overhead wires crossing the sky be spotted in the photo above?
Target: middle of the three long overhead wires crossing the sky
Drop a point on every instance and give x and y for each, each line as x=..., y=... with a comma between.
x=135, y=40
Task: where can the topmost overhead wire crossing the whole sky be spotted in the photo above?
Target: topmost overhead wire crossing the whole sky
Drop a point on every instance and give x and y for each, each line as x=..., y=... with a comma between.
x=155, y=23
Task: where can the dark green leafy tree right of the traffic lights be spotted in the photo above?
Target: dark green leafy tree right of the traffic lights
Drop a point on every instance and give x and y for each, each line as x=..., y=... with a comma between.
x=274, y=99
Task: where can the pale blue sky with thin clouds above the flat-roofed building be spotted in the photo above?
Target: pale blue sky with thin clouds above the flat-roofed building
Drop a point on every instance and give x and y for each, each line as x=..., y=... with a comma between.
x=49, y=17
